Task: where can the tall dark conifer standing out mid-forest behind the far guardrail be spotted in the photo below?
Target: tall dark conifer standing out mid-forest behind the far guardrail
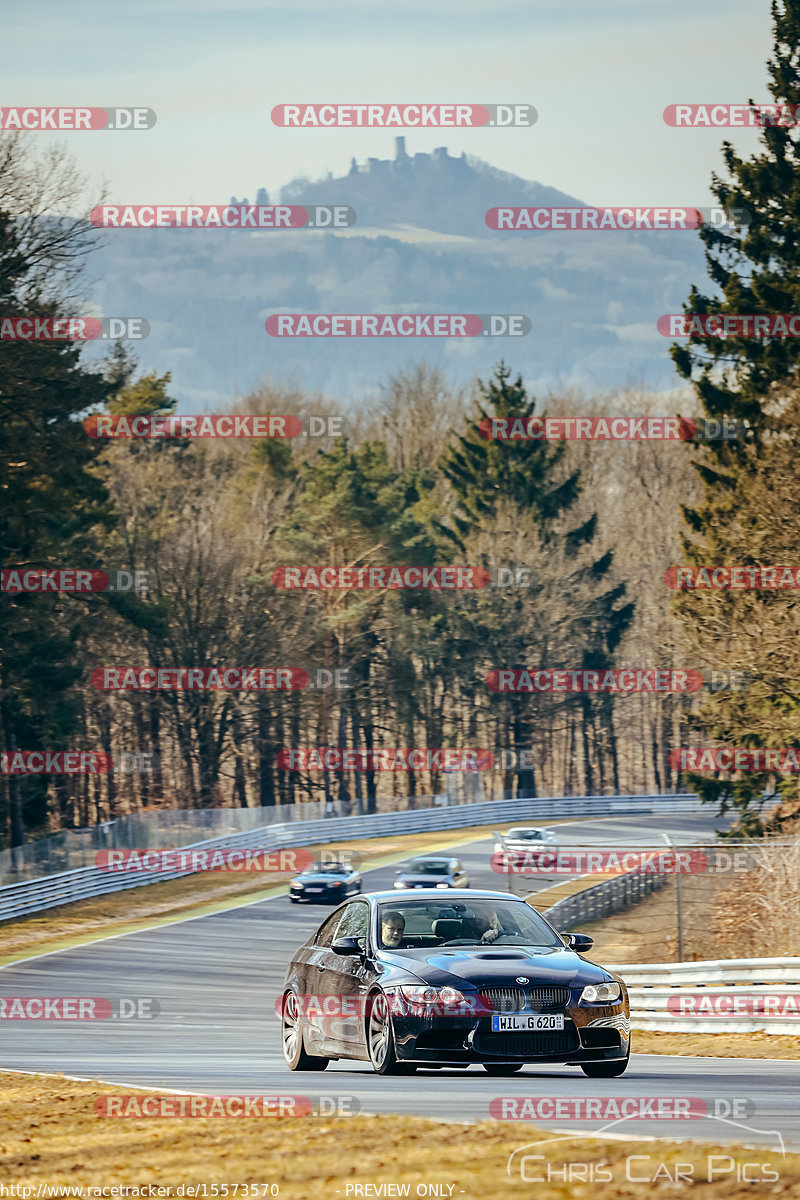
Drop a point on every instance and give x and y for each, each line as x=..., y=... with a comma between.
x=528, y=482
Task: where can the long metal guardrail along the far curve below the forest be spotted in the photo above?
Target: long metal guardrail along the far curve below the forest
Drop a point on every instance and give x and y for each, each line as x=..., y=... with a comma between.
x=35, y=896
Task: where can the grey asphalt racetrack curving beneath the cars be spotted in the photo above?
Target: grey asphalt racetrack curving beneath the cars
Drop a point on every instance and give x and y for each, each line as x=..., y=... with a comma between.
x=218, y=979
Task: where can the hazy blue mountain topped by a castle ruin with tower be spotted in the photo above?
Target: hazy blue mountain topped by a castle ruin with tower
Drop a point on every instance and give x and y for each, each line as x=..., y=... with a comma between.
x=420, y=244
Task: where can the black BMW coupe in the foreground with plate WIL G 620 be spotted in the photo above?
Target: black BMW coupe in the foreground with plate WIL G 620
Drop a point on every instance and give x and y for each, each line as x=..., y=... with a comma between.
x=435, y=981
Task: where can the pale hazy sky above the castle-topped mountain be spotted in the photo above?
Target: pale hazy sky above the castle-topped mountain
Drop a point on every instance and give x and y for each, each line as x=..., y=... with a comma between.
x=600, y=76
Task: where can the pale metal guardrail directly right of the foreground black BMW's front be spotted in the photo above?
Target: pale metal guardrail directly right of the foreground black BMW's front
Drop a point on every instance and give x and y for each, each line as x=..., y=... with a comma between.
x=732, y=987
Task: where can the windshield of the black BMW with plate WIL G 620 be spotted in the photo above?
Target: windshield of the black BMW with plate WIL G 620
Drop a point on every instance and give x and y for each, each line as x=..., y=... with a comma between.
x=431, y=923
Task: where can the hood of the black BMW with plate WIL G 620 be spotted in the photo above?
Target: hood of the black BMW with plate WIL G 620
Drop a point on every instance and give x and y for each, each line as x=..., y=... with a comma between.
x=486, y=968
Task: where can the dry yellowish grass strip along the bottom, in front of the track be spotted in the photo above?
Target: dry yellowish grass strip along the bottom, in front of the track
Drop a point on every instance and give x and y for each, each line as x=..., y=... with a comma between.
x=52, y=1136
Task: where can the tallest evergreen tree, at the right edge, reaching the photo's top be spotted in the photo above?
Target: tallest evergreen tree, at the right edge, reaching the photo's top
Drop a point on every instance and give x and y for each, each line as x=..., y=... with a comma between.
x=755, y=271
